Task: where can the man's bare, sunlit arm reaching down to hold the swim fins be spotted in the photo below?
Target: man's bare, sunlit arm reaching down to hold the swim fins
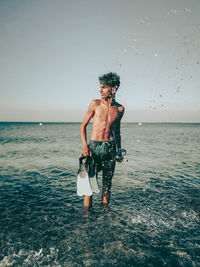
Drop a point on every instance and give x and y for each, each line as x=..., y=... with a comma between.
x=88, y=116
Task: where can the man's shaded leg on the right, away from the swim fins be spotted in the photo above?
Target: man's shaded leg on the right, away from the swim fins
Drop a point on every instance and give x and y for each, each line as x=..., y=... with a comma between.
x=108, y=172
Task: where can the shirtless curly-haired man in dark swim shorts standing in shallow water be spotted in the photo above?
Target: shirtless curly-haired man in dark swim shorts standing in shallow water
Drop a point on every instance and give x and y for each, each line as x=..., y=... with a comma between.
x=106, y=114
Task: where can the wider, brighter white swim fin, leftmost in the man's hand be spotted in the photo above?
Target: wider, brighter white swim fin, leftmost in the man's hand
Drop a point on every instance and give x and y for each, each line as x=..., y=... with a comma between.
x=83, y=184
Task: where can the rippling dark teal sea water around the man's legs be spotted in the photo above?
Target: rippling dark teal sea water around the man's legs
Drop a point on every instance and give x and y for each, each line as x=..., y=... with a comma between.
x=153, y=218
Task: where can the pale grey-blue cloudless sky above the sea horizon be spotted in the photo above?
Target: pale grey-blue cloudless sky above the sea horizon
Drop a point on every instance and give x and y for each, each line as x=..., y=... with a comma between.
x=52, y=52
